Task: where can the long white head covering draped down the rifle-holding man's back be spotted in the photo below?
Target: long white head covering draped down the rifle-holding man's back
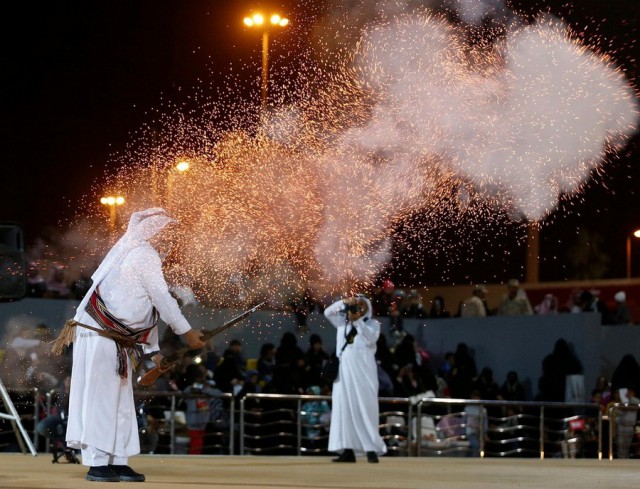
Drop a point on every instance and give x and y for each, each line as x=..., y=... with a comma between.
x=143, y=225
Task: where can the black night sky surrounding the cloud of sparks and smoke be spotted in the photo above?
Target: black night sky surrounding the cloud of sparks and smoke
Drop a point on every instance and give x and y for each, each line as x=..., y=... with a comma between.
x=80, y=77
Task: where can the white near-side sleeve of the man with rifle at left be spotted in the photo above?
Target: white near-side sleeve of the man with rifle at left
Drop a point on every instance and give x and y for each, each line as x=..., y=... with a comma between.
x=150, y=273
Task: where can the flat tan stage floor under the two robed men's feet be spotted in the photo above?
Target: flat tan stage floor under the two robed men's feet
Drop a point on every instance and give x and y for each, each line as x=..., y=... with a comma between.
x=195, y=472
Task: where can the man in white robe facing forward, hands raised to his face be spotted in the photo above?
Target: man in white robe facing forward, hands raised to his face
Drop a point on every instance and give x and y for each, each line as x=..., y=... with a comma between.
x=355, y=411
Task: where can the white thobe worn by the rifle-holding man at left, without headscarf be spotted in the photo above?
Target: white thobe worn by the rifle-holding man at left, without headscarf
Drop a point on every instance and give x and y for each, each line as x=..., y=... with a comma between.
x=102, y=412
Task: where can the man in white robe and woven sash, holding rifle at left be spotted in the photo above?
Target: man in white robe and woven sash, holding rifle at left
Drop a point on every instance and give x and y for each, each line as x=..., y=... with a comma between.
x=128, y=292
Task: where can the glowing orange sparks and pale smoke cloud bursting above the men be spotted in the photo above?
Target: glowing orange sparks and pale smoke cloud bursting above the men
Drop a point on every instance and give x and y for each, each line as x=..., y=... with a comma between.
x=419, y=126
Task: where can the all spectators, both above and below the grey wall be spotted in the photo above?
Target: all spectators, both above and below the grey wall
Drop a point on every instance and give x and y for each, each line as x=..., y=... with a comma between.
x=405, y=369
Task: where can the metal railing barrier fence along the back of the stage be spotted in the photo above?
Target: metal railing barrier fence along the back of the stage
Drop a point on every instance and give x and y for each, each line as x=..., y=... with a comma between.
x=278, y=424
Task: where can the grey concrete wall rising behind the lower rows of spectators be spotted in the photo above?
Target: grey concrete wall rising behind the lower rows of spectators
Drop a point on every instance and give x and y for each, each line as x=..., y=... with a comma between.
x=501, y=343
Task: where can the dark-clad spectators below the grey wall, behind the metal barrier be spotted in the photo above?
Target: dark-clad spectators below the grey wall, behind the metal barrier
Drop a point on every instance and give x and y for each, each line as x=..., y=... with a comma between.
x=405, y=370
